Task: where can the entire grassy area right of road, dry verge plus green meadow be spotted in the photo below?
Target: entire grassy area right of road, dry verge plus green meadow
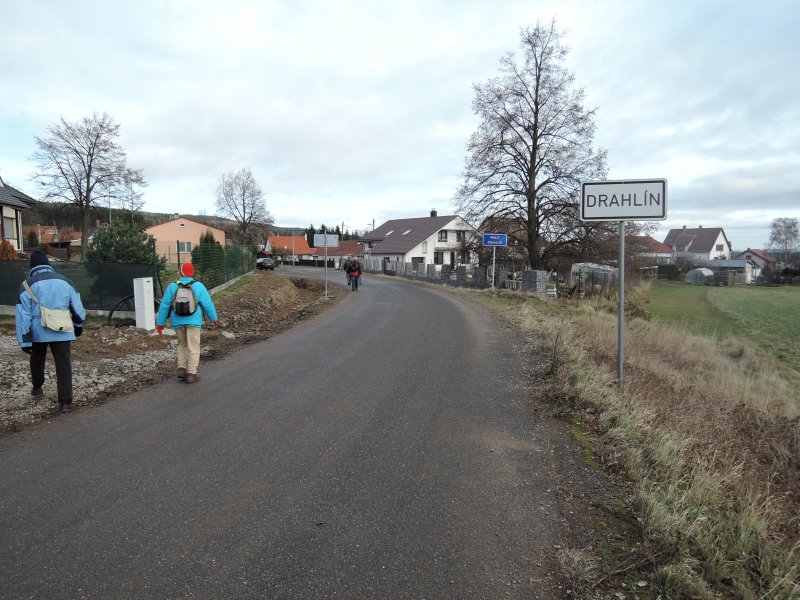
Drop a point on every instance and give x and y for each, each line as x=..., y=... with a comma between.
x=707, y=428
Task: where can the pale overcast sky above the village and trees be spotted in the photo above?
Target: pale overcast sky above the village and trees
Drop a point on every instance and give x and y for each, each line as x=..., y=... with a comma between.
x=353, y=112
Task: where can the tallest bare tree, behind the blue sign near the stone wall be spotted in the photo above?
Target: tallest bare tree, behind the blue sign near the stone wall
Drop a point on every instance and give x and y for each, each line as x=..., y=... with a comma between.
x=532, y=148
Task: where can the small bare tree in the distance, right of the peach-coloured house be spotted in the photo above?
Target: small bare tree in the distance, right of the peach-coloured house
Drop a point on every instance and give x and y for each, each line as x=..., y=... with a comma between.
x=239, y=197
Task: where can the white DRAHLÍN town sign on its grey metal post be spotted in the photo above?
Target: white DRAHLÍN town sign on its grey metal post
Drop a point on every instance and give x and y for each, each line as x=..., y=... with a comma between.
x=623, y=200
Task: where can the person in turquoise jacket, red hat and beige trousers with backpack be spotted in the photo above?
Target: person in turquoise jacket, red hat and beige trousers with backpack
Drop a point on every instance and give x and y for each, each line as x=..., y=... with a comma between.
x=188, y=327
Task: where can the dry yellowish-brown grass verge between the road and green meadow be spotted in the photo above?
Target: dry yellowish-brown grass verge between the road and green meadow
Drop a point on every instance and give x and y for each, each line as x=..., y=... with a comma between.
x=708, y=432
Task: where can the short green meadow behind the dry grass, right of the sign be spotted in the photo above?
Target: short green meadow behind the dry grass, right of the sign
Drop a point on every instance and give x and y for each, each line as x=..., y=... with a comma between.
x=766, y=317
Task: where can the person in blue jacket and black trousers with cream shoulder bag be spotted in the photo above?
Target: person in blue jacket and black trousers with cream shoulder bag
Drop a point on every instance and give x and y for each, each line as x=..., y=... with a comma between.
x=56, y=292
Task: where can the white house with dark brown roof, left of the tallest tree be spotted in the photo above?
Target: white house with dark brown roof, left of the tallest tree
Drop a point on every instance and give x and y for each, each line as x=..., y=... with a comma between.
x=431, y=240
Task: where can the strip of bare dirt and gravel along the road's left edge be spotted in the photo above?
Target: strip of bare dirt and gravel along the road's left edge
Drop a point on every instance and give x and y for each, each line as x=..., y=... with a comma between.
x=116, y=359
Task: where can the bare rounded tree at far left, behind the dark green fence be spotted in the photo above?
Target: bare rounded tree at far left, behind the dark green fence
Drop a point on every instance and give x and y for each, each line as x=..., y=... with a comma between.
x=82, y=164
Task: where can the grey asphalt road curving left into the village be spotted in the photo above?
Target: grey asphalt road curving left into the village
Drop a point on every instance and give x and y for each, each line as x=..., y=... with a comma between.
x=385, y=449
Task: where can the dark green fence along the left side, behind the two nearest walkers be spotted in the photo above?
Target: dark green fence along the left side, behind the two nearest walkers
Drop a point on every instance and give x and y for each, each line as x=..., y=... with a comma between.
x=103, y=286
